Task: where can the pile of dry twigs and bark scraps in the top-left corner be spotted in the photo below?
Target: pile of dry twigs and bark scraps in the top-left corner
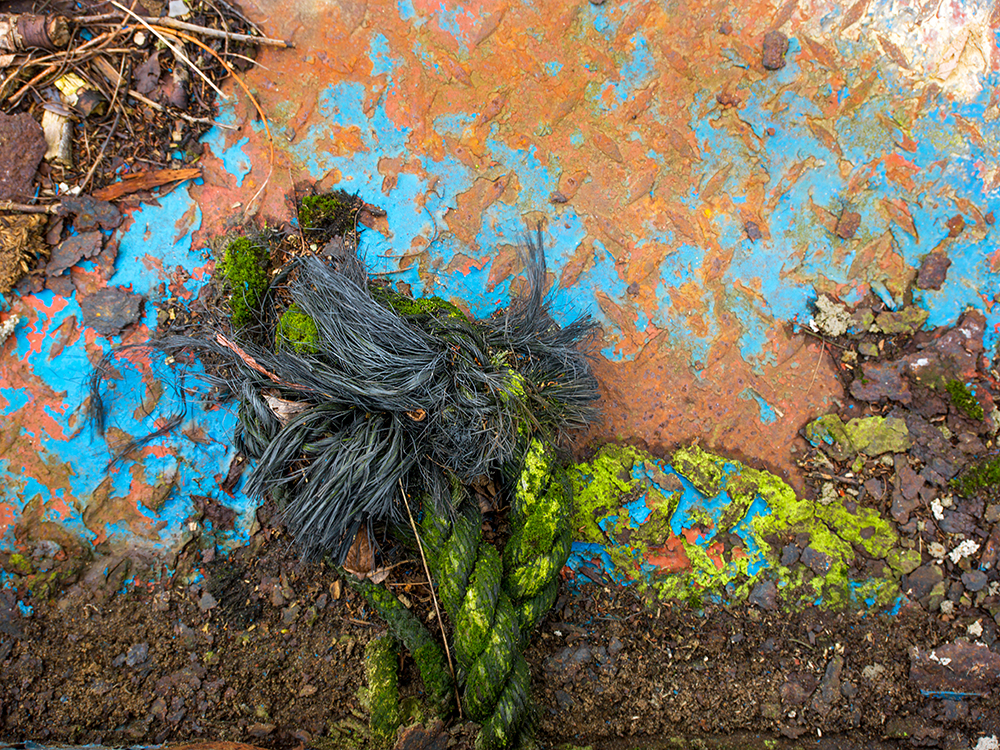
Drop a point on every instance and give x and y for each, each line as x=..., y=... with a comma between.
x=101, y=108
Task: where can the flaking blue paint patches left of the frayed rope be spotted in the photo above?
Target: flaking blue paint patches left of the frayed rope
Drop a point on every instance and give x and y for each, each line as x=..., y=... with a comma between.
x=162, y=232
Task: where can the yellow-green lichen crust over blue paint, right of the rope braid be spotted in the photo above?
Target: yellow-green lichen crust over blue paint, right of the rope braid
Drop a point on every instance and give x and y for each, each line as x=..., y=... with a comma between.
x=609, y=480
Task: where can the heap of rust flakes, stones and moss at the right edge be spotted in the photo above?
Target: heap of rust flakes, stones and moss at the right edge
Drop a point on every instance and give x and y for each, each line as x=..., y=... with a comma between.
x=917, y=440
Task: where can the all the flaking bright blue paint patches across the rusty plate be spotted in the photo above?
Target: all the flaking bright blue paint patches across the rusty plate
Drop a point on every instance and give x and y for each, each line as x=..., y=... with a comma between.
x=786, y=267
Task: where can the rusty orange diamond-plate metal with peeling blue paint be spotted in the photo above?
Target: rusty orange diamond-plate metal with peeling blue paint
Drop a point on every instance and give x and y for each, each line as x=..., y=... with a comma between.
x=693, y=199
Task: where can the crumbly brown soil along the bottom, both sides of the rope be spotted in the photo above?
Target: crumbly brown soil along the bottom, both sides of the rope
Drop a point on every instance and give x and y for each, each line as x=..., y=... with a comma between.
x=260, y=648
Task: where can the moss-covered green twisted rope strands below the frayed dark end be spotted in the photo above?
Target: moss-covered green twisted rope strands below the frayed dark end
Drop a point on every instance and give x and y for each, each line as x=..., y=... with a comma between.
x=493, y=602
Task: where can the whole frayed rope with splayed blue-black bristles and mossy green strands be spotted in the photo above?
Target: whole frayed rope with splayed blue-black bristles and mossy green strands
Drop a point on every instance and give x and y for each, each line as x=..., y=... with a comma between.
x=362, y=408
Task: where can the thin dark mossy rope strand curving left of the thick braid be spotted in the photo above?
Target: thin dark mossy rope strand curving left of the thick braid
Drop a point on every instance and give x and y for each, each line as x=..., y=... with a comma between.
x=412, y=633
